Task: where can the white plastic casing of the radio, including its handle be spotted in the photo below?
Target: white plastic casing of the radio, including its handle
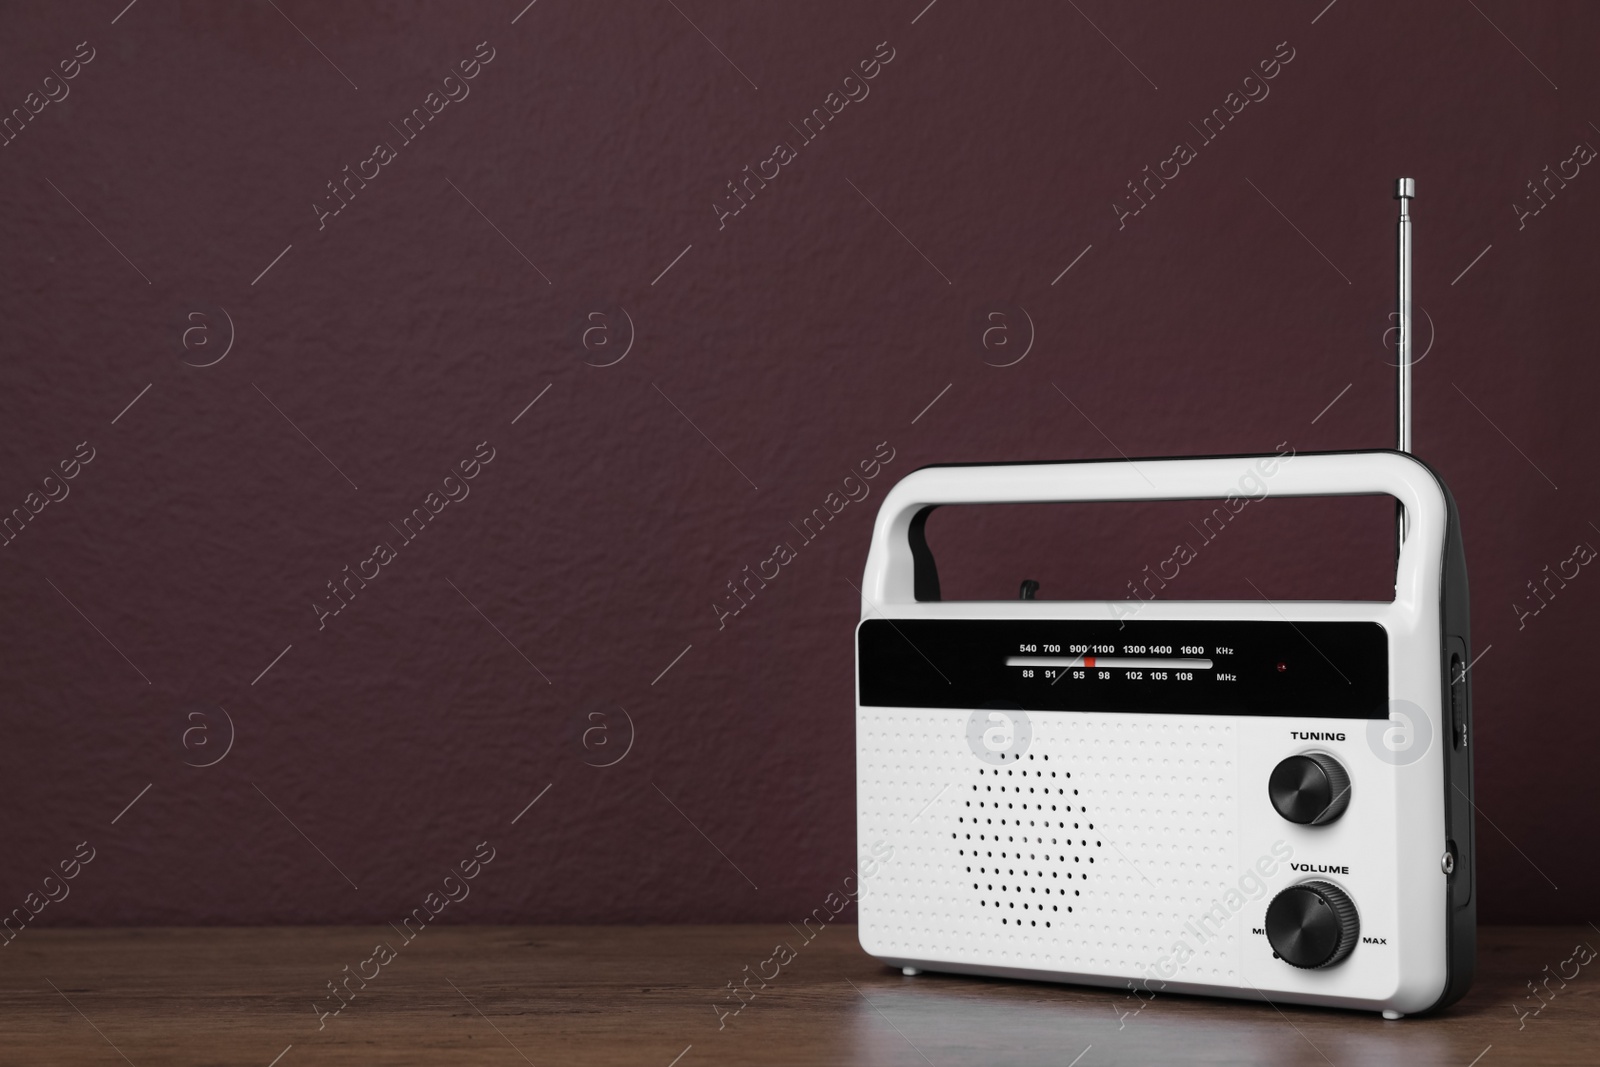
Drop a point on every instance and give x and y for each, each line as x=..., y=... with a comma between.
x=1167, y=813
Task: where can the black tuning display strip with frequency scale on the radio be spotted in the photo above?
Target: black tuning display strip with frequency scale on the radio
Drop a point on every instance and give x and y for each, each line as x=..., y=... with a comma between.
x=1202, y=668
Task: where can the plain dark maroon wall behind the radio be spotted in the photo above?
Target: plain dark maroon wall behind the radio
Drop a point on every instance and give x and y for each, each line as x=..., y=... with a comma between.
x=494, y=655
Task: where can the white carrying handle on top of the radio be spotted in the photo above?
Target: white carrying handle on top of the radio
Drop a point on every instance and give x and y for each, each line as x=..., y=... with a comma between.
x=900, y=567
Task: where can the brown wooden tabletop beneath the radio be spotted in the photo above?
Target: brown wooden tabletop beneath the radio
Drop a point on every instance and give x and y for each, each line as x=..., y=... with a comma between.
x=492, y=996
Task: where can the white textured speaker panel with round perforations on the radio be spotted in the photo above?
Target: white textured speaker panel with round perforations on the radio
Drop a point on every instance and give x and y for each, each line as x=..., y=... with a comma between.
x=1098, y=849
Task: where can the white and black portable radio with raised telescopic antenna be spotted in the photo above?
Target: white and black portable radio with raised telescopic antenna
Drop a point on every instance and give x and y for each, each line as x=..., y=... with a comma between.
x=1057, y=793
